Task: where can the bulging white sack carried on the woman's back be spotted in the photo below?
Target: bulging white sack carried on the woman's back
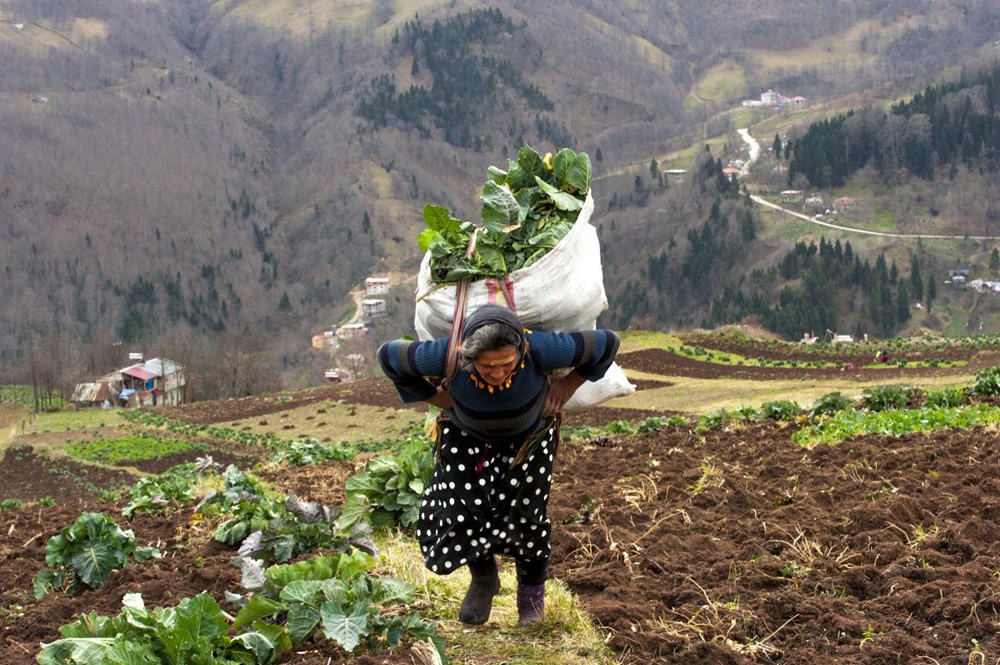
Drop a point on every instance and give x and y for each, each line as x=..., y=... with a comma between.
x=563, y=291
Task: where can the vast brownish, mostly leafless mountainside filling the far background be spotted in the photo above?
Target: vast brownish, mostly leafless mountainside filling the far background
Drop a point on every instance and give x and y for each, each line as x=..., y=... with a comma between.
x=195, y=178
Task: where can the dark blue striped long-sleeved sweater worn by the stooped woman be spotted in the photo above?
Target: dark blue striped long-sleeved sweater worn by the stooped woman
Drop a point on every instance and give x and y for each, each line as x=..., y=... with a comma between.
x=503, y=415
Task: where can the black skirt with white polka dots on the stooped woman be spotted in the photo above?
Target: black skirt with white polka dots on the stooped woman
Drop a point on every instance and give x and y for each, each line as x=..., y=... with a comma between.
x=478, y=505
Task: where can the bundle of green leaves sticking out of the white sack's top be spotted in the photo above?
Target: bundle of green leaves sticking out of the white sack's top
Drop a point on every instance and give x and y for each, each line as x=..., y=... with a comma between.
x=526, y=211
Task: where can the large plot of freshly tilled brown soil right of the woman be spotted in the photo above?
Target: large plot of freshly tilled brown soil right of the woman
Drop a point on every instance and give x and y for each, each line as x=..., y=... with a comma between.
x=745, y=547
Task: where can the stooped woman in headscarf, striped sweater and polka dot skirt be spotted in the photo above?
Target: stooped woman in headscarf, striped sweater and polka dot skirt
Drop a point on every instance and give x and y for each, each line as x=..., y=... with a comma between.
x=496, y=442
